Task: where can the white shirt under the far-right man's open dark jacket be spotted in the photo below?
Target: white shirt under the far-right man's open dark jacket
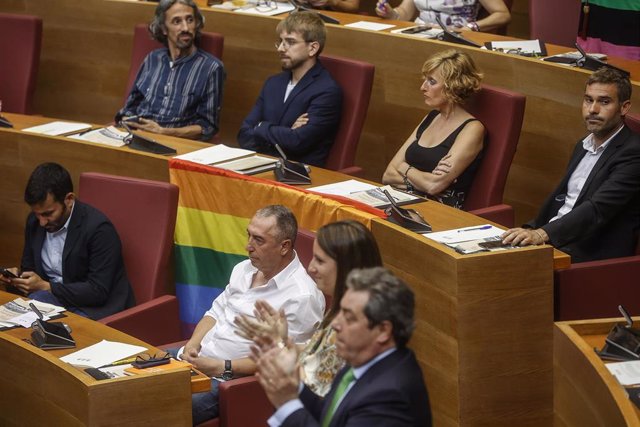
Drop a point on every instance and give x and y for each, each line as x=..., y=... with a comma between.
x=582, y=171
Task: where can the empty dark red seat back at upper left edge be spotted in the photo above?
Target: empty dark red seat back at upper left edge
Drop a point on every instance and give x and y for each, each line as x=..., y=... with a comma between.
x=20, y=40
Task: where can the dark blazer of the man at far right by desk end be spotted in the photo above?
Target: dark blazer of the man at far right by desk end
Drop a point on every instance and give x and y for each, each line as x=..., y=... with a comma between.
x=605, y=219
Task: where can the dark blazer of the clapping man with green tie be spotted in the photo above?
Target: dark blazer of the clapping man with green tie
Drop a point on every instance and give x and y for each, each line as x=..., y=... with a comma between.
x=390, y=394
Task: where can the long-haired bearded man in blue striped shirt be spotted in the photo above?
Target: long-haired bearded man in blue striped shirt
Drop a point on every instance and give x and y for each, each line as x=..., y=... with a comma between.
x=178, y=90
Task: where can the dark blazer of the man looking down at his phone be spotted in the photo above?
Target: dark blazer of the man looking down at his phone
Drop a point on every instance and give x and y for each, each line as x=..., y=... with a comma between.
x=93, y=274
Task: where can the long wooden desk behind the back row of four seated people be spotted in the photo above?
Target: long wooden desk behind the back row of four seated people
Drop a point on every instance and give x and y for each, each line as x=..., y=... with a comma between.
x=86, y=53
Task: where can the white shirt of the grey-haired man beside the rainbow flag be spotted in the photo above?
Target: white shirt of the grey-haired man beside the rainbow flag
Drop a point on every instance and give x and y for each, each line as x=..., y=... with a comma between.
x=292, y=289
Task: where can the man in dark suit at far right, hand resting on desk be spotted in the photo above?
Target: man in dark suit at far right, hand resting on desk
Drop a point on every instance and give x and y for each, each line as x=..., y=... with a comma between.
x=594, y=213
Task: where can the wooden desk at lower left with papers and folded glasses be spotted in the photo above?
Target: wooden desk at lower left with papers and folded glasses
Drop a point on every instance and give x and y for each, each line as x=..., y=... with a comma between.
x=36, y=388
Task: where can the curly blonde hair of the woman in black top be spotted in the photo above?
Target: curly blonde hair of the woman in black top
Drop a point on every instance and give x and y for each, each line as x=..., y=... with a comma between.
x=459, y=72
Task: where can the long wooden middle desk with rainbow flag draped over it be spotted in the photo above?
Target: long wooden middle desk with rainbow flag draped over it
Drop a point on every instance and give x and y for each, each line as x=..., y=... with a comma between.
x=471, y=310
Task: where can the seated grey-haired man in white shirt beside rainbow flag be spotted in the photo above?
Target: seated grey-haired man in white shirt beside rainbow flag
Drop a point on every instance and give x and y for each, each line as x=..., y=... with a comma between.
x=272, y=273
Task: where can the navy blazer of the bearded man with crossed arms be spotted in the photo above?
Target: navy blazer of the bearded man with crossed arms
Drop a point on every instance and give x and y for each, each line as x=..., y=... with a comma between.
x=270, y=120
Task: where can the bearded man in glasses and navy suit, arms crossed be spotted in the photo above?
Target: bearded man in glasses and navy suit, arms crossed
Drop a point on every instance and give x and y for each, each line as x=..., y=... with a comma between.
x=298, y=109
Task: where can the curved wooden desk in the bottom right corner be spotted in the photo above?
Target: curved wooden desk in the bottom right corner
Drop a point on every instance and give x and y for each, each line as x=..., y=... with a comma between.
x=585, y=392
